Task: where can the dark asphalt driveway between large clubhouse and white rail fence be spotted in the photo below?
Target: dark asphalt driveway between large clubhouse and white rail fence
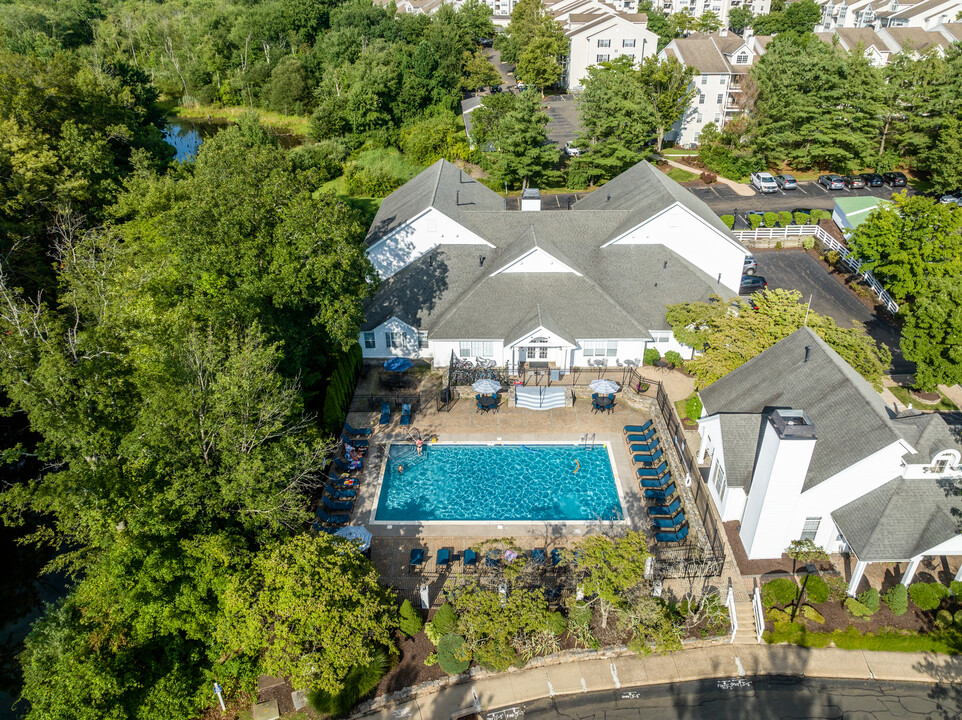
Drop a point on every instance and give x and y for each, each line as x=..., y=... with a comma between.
x=797, y=270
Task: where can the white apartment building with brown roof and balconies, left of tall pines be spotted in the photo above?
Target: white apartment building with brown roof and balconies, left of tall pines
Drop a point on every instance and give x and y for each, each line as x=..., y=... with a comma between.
x=722, y=60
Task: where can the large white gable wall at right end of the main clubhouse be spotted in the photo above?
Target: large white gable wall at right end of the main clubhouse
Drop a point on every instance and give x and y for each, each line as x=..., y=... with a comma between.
x=705, y=247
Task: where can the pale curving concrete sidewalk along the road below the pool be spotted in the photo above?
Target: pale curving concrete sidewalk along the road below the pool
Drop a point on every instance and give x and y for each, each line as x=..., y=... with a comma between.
x=626, y=671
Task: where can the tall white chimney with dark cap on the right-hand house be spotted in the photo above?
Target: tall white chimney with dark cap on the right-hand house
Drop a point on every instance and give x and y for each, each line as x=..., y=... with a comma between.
x=769, y=521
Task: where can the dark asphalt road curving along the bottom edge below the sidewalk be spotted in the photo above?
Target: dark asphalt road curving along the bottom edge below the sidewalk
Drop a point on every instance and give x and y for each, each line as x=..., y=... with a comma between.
x=767, y=698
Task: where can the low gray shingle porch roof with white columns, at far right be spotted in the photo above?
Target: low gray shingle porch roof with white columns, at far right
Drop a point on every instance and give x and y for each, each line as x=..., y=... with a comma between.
x=900, y=519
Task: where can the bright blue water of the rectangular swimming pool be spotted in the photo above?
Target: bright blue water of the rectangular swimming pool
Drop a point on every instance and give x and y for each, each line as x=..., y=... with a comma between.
x=498, y=482
